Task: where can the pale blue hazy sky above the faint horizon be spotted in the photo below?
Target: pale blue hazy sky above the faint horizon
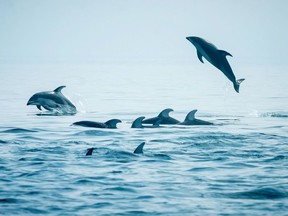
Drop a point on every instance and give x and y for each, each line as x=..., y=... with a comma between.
x=87, y=31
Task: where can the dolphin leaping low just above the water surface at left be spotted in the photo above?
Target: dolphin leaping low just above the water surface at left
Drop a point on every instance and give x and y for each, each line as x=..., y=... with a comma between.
x=53, y=101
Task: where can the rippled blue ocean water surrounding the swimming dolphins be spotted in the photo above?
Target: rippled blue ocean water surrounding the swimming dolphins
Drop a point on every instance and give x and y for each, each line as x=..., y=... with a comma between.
x=238, y=166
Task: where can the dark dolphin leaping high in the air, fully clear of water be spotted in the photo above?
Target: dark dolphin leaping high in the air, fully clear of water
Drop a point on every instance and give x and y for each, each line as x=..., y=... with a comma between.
x=216, y=57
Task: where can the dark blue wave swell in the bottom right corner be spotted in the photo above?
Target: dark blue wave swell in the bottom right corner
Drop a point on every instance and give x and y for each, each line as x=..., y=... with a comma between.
x=261, y=194
